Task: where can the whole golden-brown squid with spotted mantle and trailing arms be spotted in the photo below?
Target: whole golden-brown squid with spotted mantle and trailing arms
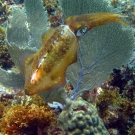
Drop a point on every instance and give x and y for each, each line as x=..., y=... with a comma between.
x=46, y=69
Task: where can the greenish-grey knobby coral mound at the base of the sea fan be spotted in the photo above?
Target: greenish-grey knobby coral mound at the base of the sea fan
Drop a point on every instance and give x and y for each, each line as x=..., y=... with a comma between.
x=80, y=118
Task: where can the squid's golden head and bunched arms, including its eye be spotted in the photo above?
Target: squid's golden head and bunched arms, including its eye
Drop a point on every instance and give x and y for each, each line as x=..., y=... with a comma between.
x=87, y=22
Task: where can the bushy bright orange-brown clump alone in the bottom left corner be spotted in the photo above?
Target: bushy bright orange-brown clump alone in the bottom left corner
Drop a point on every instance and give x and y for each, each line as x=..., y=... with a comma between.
x=25, y=119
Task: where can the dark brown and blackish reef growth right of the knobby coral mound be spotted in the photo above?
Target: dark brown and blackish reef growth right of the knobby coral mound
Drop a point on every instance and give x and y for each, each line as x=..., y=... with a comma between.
x=115, y=101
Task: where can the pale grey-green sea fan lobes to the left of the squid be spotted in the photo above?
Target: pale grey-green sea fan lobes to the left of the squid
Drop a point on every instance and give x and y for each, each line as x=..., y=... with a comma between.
x=20, y=32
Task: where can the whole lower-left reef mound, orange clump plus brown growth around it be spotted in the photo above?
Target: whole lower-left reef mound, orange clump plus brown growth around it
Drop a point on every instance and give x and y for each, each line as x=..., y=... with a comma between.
x=33, y=117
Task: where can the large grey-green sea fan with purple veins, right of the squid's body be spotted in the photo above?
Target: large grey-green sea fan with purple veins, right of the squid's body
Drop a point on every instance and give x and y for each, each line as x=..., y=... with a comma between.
x=101, y=49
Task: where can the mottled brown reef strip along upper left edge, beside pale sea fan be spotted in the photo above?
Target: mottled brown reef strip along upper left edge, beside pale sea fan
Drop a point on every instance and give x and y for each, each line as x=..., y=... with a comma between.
x=5, y=59
